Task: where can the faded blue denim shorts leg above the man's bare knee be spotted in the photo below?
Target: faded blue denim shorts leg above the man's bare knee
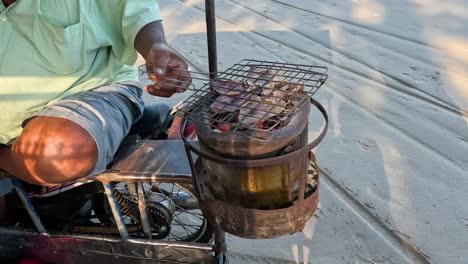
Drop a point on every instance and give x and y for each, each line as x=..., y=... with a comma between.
x=107, y=113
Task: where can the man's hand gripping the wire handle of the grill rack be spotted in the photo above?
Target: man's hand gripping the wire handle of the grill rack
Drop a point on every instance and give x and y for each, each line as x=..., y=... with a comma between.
x=167, y=70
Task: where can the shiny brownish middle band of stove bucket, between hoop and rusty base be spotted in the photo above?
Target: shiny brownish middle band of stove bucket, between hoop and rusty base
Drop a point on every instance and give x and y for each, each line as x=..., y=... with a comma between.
x=261, y=187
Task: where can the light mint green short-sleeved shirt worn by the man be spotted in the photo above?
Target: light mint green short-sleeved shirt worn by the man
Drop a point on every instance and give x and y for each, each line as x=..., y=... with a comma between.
x=50, y=49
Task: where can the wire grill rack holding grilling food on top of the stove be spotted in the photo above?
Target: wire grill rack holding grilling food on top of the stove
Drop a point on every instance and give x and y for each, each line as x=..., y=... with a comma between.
x=252, y=96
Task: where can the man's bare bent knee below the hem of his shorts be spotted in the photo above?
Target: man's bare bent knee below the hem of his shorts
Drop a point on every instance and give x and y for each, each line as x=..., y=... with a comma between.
x=52, y=151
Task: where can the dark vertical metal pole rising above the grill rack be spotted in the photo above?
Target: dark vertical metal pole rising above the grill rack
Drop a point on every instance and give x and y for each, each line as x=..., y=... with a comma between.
x=211, y=37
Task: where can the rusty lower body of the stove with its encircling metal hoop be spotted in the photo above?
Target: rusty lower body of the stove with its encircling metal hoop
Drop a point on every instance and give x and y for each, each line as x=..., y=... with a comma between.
x=245, y=214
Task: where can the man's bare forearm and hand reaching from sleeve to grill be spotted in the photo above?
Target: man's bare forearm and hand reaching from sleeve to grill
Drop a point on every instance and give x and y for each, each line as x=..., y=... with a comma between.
x=165, y=67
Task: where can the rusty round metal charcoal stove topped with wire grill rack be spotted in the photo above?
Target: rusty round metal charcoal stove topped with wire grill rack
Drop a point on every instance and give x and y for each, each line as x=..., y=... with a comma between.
x=257, y=181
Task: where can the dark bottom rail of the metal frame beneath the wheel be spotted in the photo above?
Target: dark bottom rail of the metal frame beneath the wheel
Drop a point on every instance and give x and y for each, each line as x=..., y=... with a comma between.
x=97, y=249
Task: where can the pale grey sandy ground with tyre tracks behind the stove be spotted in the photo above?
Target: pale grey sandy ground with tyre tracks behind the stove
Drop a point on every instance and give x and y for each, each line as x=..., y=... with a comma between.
x=394, y=163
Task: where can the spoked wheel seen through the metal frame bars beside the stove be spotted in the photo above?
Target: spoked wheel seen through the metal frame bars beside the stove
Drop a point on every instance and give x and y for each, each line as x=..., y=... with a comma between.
x=173, y=212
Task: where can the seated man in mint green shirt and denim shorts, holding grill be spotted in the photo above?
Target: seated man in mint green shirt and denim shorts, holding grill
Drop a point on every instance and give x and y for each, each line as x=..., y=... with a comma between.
x=68, y=91
